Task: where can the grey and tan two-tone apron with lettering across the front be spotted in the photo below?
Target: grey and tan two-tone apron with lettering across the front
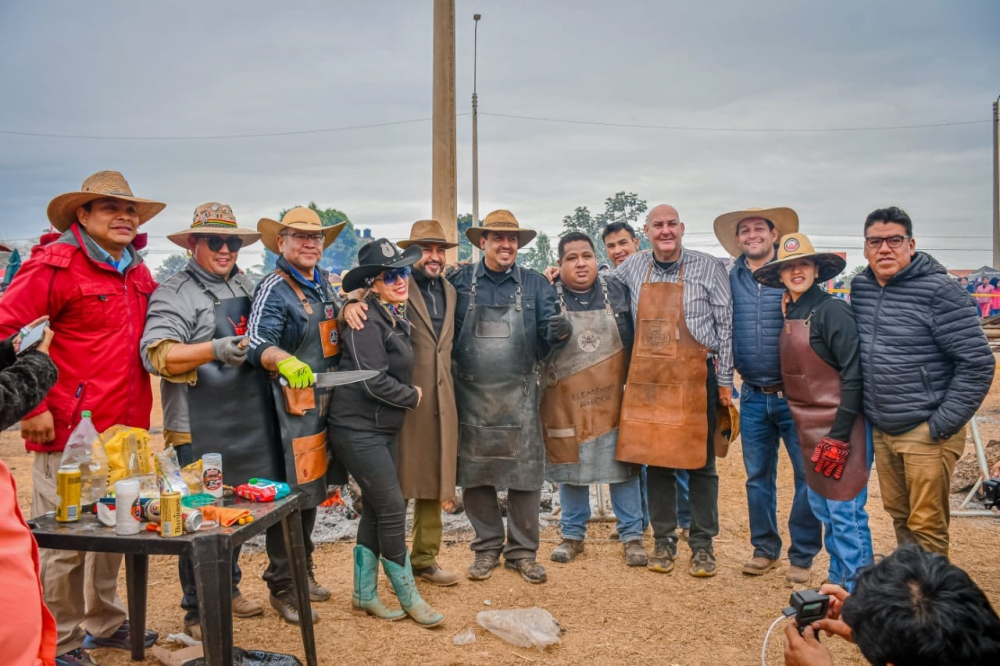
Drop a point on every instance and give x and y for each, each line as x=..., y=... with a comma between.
x=582, y=398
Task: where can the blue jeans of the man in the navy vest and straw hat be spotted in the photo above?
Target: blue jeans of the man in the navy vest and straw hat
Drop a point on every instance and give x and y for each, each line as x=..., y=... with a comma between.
x=765, y=421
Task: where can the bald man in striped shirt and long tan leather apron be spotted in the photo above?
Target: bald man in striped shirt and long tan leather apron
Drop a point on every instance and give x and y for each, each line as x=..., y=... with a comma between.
x=681, y=307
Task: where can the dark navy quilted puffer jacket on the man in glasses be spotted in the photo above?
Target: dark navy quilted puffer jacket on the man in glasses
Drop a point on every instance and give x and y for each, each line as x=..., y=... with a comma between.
x=923, y=352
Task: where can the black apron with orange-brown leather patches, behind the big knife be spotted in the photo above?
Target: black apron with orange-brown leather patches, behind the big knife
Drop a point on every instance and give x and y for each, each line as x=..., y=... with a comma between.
x=309, y=464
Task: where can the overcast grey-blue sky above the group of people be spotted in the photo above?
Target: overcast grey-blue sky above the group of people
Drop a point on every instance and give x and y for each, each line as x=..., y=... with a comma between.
x=175, y=69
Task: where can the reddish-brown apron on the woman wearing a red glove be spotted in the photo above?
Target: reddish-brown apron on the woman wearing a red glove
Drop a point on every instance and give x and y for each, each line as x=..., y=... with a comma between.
x=812, y=388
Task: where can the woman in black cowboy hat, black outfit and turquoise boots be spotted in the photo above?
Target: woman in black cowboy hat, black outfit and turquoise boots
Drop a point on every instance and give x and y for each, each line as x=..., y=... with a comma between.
x=365, y=419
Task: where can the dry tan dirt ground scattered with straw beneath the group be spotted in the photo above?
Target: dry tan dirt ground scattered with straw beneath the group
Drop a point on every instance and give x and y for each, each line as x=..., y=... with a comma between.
x=612, y=614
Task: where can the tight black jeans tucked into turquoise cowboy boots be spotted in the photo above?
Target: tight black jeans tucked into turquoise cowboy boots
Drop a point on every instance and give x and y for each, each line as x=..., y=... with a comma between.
x=370, y=457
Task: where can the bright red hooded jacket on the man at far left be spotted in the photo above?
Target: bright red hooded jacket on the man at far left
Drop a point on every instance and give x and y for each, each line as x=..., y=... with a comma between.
x=97, y=315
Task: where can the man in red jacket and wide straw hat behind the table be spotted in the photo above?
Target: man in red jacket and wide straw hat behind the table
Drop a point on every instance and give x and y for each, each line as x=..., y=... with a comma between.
x=94, y=288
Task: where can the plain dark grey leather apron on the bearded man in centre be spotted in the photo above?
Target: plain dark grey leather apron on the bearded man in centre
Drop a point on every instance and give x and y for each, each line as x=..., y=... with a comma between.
x=496, y=392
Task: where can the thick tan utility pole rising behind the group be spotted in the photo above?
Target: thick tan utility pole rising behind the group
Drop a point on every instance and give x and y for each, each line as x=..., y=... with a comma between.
x=444, y=190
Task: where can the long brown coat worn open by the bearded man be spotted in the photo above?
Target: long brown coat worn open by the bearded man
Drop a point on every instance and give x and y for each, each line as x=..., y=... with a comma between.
x=428, y=442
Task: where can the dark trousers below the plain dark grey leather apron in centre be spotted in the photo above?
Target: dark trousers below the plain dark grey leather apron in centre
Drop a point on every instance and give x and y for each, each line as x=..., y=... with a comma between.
x=483, y=510
